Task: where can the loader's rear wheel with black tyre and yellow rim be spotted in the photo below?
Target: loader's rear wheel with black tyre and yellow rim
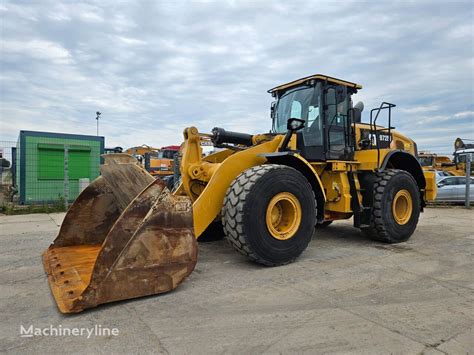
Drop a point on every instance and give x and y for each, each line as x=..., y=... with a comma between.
x=396, y=207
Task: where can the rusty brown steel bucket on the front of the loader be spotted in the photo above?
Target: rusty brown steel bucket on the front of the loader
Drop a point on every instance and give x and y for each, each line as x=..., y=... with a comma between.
x=125, y=236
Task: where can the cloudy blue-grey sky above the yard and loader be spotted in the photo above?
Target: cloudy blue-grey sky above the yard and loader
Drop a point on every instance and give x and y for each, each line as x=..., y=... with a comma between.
x=155, y=67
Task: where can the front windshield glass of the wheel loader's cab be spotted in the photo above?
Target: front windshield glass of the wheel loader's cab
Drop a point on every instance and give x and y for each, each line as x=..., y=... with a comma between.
x=301, y=102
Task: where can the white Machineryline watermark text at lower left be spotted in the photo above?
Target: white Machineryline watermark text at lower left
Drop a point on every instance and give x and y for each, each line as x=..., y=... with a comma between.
x=97, y=330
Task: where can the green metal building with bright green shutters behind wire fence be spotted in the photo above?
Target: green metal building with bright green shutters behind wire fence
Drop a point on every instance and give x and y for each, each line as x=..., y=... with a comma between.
x=44, y=168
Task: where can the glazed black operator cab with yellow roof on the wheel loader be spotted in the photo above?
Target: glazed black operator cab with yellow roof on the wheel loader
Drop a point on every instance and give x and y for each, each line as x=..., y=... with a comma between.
x=324, y=103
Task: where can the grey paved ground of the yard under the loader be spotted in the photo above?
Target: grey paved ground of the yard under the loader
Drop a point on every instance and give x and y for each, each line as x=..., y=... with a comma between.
x=345, y=294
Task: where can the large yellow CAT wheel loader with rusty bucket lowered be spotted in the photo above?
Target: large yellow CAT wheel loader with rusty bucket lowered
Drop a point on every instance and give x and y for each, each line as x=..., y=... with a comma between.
x=128, y=236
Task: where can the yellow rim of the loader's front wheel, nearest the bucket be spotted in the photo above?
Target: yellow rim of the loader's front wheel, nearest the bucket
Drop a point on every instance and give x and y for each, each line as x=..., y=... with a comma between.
x=283, y=216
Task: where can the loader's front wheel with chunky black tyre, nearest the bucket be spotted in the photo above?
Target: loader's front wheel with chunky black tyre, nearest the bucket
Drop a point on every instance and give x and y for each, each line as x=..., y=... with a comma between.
x=246, y=220
